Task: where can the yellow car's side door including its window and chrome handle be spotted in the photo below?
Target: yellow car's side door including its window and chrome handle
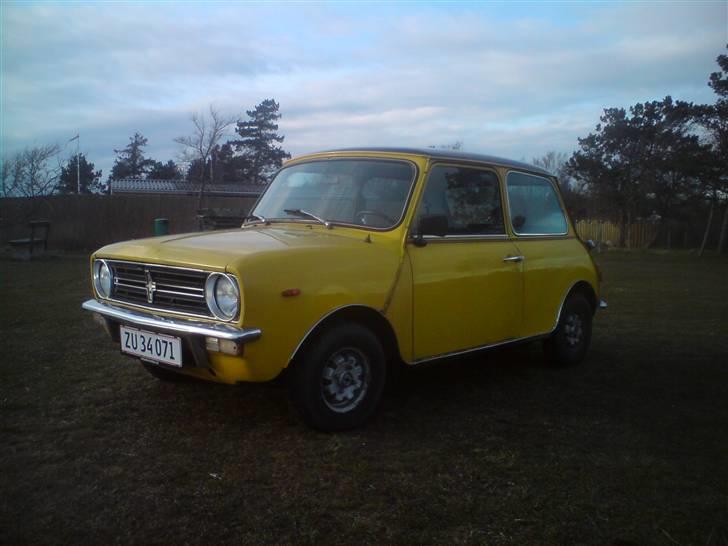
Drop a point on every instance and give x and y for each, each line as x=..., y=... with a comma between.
x=467, y=279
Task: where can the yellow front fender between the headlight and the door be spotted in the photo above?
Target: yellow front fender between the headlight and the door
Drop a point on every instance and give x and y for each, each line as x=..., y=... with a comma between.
x=322, y=281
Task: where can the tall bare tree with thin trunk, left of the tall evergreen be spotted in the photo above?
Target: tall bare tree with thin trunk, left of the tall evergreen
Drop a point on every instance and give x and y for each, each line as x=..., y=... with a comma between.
x=199, y=146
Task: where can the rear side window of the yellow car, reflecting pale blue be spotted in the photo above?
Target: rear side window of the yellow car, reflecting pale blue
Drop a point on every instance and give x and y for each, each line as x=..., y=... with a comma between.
x=534, y=206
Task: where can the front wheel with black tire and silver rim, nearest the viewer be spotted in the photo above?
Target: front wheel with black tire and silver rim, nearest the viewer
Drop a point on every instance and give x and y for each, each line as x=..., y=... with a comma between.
x=337, y=383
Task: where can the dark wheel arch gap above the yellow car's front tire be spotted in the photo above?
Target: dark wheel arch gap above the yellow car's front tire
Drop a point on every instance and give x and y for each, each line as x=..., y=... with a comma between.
x=359, y=314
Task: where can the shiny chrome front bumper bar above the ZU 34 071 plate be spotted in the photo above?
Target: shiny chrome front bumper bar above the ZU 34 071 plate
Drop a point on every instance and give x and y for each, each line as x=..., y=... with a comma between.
x=180, y=326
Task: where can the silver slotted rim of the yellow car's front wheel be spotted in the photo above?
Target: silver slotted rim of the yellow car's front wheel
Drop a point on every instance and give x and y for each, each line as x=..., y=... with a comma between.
x=345, y=379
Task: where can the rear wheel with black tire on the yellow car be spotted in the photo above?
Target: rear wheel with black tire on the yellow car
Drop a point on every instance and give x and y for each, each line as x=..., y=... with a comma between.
x=569, y=343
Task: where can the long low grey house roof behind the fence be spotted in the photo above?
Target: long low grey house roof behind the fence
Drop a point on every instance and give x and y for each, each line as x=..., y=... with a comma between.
x=183, y=187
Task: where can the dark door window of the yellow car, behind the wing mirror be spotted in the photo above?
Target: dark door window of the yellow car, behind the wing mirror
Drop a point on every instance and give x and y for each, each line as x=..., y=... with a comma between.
x=467, y=200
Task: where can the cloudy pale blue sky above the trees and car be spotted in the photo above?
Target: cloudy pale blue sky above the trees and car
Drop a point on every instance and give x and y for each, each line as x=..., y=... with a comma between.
x=515, y=79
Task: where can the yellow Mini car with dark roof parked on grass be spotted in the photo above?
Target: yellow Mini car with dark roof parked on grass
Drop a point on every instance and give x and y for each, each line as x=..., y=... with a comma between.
x=353, y=262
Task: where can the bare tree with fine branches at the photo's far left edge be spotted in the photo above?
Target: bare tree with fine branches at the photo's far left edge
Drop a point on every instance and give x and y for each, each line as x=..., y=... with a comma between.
x=31, y=172
